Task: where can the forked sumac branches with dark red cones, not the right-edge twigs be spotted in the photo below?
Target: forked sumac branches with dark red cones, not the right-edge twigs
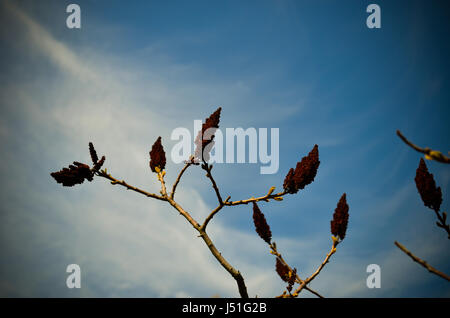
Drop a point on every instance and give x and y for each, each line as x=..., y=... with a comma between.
x=296, y=179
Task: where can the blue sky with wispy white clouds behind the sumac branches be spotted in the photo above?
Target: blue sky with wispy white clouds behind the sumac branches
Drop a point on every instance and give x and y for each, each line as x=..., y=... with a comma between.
x=138, y=70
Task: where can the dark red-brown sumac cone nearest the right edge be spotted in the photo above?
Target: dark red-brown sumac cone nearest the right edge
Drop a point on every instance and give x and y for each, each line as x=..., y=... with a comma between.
x=431, y=196
